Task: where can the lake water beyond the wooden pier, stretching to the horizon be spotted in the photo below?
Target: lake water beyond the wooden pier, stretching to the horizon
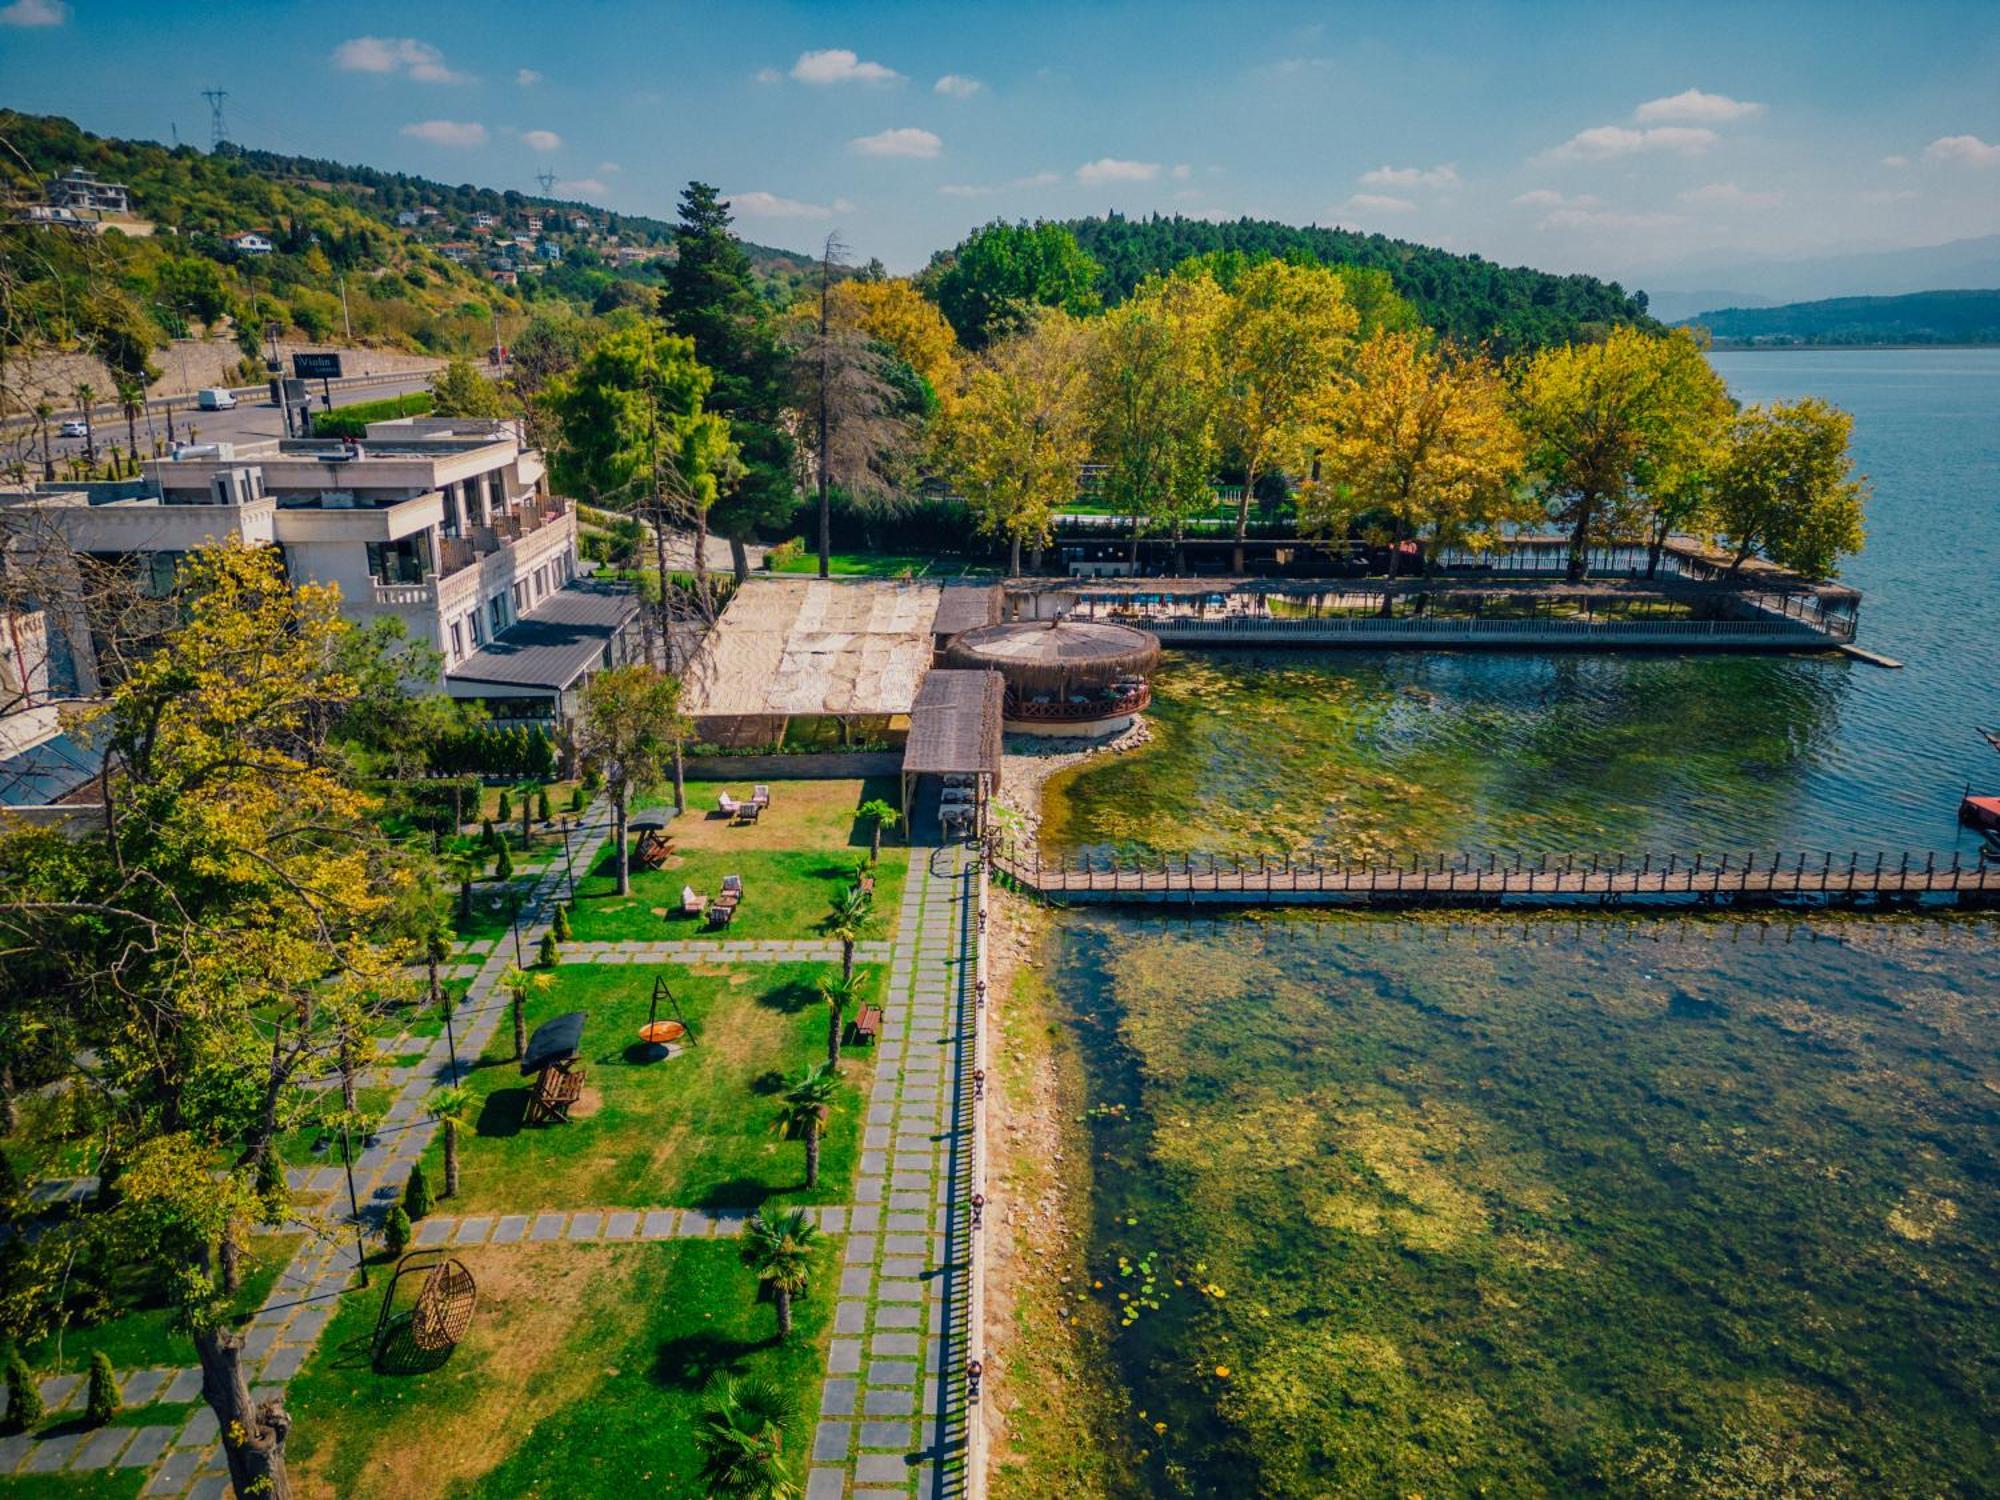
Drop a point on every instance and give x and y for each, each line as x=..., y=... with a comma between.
x=1421, y=753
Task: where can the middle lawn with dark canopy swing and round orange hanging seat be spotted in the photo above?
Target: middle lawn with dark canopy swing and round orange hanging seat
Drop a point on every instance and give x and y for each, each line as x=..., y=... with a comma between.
x=691, y=1131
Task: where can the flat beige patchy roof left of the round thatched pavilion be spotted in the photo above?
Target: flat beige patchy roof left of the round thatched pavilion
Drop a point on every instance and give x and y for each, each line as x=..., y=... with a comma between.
x=815, y=647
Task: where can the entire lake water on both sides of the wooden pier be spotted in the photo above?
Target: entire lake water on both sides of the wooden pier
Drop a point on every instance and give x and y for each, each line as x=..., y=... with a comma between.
x=1639, y=1207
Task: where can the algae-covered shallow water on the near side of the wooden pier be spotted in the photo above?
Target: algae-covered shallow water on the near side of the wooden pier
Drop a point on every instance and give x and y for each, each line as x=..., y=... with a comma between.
x=1549, y=1207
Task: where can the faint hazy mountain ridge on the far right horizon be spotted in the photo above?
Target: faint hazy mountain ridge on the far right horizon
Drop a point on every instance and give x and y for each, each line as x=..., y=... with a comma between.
x=1873, y=273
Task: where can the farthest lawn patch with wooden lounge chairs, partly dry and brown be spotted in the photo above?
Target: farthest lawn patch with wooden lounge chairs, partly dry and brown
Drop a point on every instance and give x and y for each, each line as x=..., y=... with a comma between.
x=793, y=861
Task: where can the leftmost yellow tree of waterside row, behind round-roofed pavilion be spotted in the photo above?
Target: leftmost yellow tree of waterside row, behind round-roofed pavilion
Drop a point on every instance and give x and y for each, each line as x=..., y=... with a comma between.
x=1017, y=437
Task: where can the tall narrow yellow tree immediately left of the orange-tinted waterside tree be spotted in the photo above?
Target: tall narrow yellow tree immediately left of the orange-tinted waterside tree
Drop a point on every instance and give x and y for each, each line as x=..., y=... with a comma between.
x=1281, y=339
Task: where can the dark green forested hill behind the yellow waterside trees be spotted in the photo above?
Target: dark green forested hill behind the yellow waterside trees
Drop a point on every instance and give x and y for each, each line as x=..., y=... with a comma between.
x=1463, y=297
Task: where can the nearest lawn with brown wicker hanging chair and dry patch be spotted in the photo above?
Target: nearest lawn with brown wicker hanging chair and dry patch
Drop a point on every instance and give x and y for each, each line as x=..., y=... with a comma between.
x=583, y=1375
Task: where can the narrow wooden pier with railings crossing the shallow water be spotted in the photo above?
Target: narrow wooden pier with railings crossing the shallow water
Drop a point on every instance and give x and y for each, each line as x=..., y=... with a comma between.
x=1819, y=879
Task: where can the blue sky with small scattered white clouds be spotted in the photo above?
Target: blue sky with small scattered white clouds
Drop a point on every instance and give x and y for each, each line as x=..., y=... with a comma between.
x=1625, y=139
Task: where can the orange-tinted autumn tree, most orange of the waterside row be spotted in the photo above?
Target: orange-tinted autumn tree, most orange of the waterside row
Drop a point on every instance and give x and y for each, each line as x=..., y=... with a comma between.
x=1419, y=439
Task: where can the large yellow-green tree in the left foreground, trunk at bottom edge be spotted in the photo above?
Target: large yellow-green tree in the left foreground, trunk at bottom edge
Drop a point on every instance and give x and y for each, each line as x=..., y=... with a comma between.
x=217, y=939
